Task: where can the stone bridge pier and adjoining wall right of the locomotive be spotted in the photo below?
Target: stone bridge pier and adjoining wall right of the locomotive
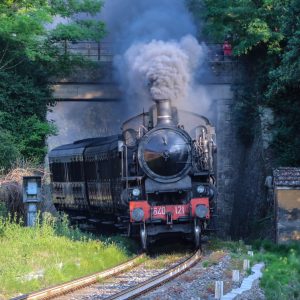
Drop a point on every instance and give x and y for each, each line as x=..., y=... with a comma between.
x=241, y=170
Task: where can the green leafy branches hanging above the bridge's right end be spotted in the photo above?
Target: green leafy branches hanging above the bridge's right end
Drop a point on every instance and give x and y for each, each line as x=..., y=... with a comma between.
x=247, y=23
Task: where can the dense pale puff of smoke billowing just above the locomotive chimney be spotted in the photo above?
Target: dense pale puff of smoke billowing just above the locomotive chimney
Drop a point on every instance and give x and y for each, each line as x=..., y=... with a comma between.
x=165, y=68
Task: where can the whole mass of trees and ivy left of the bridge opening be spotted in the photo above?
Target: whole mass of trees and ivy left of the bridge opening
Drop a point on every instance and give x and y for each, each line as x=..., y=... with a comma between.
x=32, y=38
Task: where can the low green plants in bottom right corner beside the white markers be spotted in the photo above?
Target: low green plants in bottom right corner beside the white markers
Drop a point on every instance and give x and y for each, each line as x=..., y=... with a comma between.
x=281, y=275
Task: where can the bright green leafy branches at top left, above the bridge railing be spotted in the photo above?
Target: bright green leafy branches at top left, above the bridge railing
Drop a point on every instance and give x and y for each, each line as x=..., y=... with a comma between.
x=27, y=27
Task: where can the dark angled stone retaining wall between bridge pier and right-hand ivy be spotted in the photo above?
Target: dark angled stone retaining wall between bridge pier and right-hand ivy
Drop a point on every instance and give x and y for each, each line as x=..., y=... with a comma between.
x=250, y=193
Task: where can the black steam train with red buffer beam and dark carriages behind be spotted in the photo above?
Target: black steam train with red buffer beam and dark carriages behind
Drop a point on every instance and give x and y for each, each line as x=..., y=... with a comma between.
x=154, y=179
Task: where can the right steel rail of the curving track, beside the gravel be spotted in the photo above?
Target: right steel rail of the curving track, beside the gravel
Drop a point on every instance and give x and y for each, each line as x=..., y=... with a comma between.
x=157, y=280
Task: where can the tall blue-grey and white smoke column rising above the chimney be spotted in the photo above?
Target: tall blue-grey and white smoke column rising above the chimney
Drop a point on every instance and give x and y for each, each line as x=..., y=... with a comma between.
x=157, y=53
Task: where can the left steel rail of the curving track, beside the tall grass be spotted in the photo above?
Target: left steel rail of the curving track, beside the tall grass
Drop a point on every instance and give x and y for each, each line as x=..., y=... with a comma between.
x=75, y=284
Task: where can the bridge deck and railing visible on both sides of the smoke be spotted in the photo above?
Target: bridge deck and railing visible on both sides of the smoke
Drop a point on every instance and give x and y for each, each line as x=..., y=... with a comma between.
x=98, y=82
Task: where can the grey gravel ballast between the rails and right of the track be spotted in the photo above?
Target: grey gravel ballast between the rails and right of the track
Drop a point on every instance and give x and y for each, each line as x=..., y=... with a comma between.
x=197, y=283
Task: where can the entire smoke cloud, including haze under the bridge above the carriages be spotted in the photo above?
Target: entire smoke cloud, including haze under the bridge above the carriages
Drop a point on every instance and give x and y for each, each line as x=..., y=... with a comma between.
x=156, y=55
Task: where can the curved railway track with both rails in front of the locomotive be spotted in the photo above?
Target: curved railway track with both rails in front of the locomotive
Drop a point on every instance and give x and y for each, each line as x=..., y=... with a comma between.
x=127, y=284
